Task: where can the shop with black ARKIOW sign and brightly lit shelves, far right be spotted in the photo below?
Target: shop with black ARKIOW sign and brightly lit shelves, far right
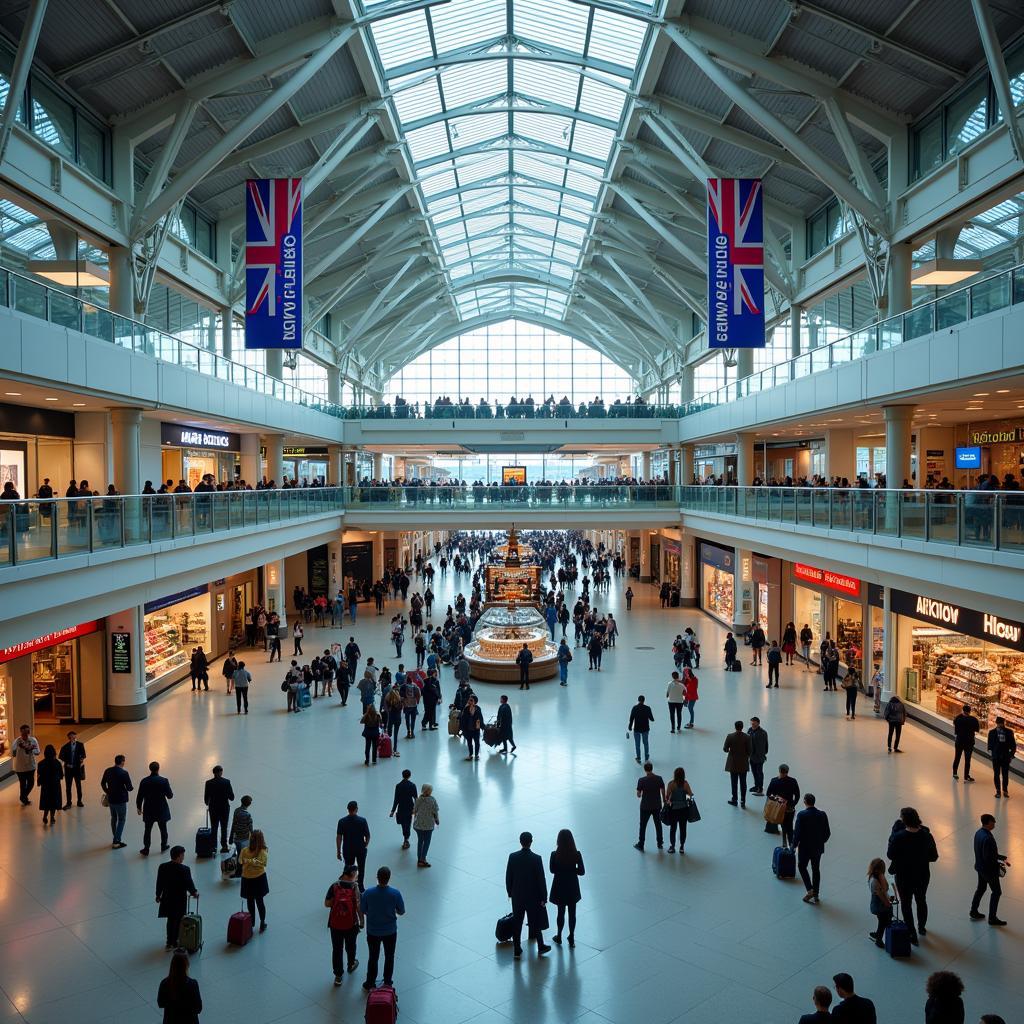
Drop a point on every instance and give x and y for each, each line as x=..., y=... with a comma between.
x=949, y=656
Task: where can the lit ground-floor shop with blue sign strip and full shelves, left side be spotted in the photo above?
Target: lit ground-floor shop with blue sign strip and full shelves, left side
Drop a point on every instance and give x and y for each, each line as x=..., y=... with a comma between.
x=174, y=628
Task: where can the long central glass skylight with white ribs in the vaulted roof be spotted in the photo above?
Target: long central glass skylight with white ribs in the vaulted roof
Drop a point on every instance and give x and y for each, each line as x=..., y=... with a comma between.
x=511, y=110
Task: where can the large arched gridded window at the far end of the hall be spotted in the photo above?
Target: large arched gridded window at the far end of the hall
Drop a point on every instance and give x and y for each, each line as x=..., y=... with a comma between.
x=513, y=358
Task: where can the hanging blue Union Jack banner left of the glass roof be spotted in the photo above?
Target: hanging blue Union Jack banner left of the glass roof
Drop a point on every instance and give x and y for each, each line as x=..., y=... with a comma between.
x=274, y=264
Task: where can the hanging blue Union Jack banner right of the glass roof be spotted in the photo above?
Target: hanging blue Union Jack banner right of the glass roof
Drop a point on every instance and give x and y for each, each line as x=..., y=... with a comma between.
x=736, y=264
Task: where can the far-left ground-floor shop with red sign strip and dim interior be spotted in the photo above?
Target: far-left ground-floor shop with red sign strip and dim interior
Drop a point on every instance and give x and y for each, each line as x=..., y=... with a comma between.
x=50, y=682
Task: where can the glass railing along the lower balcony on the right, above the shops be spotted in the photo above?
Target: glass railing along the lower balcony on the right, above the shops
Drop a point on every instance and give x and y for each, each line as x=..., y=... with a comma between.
x=973, y=519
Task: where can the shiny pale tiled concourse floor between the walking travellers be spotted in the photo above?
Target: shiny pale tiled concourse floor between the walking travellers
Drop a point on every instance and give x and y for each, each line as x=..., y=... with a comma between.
x=661, y=938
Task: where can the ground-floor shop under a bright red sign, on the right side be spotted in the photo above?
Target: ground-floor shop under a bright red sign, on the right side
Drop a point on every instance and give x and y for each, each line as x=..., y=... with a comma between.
x=832, y=603
